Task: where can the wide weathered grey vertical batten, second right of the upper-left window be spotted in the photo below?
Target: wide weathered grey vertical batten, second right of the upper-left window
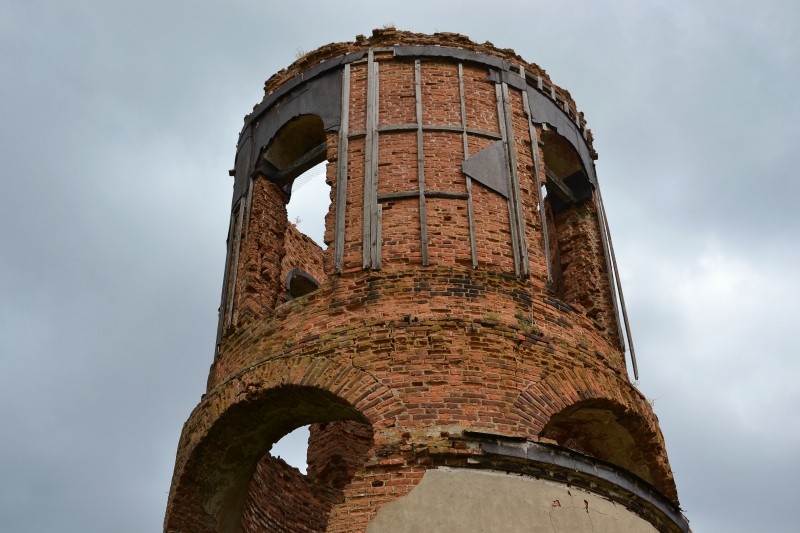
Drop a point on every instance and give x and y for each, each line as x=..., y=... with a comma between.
x=370, y=254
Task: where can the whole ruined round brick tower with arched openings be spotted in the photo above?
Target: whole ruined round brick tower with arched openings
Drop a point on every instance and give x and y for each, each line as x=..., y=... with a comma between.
x=457, y=347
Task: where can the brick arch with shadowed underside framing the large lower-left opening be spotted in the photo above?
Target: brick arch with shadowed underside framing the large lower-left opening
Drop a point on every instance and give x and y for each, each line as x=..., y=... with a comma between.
x=239, y=421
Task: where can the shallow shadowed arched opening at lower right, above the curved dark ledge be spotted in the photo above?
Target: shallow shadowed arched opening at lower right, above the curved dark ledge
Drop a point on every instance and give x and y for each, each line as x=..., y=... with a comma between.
x=605, y=430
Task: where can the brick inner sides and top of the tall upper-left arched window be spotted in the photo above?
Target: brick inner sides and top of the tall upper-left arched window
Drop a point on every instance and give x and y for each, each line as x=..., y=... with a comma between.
x=270, y=244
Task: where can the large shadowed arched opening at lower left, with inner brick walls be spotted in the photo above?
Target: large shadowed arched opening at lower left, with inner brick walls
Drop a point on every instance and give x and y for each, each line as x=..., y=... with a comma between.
x=242, y=479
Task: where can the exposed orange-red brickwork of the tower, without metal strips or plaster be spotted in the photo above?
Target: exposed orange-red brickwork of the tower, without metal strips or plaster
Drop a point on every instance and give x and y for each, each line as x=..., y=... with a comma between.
x=396, y=366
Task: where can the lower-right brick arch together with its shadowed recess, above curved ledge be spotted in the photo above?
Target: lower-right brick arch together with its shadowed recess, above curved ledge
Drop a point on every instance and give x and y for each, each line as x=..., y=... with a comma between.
x=592, y=412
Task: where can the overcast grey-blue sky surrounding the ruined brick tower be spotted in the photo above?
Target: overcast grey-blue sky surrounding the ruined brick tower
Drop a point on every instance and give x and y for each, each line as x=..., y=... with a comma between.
x=118, y=124
